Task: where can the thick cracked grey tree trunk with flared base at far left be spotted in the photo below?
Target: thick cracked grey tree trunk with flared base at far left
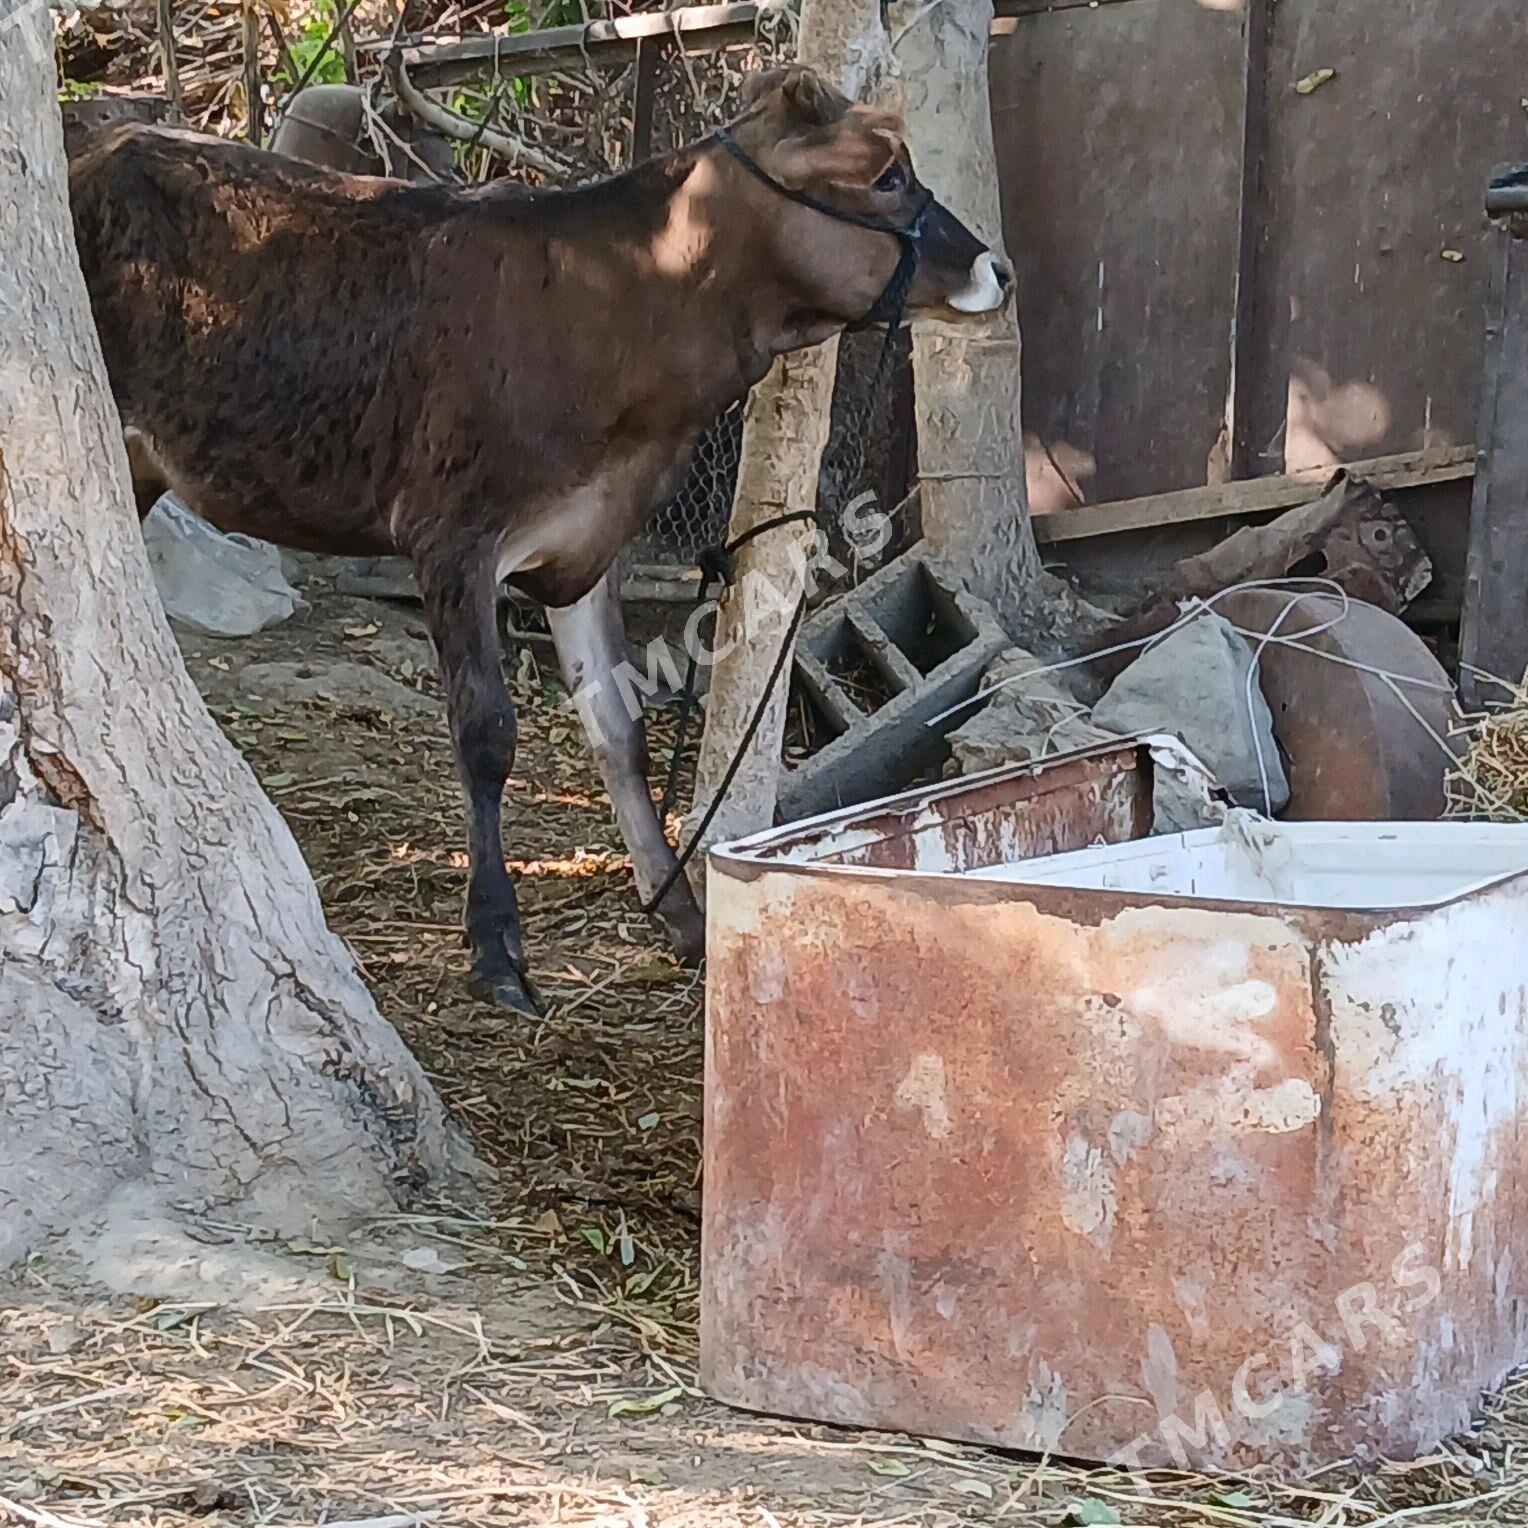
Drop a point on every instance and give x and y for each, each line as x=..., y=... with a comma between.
x=173, y=1011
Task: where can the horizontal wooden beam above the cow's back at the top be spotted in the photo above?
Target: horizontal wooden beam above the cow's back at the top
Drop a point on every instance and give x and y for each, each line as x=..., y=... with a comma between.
x=601, y=45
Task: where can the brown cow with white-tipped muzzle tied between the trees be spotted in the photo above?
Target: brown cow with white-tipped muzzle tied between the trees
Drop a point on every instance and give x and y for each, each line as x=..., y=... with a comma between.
x=499, y=384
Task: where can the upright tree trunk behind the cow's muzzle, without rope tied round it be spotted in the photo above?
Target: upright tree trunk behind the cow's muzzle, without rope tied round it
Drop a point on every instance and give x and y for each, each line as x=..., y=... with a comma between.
x=968, y=378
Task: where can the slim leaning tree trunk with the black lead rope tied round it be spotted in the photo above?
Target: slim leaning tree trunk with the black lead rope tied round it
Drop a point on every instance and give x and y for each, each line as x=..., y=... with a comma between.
x=785, y=435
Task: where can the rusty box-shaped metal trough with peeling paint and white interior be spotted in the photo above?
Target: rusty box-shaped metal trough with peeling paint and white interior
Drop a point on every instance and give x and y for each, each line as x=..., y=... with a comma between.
x=1073, y=1157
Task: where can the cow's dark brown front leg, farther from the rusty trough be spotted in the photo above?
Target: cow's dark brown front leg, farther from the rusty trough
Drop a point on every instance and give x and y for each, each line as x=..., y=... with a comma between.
x=461, y=610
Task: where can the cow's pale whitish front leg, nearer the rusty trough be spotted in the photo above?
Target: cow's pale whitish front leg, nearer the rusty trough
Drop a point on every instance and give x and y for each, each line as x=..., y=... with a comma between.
x=592, y=646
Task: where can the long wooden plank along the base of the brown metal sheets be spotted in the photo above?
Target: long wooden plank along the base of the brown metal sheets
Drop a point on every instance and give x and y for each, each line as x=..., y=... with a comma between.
x=1254, y=497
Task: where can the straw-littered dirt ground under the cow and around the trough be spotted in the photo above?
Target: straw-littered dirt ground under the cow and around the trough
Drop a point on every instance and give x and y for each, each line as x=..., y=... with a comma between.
x=528, y=1361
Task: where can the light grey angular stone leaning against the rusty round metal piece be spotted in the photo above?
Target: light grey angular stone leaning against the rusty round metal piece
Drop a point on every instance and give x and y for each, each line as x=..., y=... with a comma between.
x=1194, y=685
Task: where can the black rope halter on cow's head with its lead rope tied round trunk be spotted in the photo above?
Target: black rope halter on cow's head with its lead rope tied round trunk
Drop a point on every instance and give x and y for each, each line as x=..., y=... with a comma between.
x=717, y=562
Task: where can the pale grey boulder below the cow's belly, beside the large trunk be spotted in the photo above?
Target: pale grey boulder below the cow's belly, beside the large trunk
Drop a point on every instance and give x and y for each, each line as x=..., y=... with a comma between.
x=216, y=584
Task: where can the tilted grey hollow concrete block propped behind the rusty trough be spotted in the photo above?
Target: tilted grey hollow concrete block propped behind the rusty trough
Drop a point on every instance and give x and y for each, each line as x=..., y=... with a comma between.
x=878, y=665
